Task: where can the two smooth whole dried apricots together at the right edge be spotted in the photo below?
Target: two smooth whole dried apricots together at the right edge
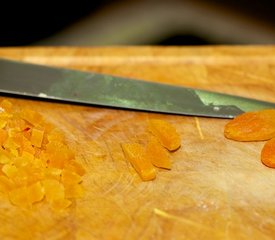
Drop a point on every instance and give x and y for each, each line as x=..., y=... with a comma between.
x=255, y=126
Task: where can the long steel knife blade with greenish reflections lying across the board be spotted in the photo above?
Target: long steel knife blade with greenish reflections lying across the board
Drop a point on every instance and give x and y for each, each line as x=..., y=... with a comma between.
x=59, y=84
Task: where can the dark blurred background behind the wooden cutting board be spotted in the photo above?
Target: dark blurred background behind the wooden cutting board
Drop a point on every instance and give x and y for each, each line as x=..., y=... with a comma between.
x=28, y=23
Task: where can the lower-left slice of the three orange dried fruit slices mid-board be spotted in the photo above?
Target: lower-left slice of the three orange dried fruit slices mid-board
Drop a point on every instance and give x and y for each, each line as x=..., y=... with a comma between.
x=135, y=154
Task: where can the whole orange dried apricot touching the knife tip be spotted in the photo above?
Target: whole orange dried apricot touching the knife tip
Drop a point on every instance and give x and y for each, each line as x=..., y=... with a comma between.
x=252, y=126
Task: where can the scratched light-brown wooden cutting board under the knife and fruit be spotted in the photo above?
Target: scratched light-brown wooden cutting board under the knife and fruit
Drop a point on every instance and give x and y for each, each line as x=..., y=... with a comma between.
x=217, y=188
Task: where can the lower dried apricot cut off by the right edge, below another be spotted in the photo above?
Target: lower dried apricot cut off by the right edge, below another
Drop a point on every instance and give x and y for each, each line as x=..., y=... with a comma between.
x=268, y=153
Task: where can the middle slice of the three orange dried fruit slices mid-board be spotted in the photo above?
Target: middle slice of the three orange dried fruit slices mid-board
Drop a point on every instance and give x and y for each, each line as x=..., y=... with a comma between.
x=157, y=154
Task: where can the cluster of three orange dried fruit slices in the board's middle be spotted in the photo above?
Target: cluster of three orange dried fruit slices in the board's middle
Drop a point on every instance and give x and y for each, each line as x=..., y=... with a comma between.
x=163, y=139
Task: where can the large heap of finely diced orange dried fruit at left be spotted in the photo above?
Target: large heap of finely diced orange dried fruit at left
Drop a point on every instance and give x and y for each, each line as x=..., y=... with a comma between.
x=36, y=164
